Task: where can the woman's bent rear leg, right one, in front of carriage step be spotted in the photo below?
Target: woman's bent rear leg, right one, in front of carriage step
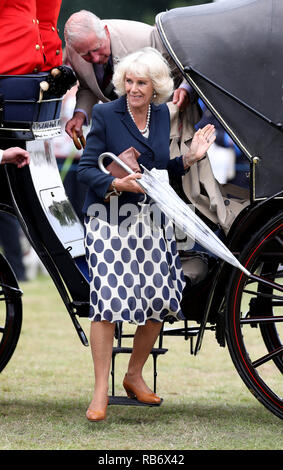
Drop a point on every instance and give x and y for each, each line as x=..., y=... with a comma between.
x=144, y=340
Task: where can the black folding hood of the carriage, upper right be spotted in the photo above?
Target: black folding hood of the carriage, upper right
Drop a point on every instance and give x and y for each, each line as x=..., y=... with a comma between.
x=231, y=52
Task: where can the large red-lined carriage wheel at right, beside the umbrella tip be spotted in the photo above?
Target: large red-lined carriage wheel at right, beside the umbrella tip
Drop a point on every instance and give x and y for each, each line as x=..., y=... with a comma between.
x=254, y=316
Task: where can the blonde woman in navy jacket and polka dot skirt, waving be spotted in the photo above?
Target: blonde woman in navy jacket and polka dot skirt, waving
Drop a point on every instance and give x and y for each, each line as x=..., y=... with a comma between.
x=135, y=270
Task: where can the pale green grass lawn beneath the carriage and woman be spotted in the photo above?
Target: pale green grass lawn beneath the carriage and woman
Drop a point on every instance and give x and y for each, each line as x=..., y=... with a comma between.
x=47, y=385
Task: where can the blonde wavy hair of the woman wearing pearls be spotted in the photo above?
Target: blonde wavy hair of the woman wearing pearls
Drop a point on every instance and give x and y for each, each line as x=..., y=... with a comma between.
x=146, y=63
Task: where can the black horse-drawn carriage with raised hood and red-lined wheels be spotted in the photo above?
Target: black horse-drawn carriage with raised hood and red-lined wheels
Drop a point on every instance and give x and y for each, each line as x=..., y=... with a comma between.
x=235, y=67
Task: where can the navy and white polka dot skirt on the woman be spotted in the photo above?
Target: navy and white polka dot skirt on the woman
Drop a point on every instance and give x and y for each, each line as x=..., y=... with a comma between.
x=134, y=277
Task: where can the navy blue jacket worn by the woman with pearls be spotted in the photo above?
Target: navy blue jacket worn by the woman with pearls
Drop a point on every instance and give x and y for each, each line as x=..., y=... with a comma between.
x=113, y=130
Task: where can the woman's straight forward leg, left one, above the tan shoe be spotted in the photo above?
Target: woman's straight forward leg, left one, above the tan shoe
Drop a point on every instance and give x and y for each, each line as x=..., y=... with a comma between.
x=101, y=340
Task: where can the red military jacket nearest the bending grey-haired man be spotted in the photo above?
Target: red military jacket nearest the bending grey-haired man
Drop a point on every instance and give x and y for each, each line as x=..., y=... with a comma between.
x=47, y=12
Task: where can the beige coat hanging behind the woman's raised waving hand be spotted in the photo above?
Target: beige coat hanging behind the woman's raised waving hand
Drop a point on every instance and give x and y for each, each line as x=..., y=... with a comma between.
x=199, y=184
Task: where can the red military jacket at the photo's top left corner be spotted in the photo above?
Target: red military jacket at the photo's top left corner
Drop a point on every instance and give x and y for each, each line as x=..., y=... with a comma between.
x=21, y=48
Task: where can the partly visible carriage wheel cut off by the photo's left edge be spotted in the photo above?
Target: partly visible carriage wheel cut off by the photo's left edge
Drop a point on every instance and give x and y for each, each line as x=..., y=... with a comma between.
x=10, y=313
